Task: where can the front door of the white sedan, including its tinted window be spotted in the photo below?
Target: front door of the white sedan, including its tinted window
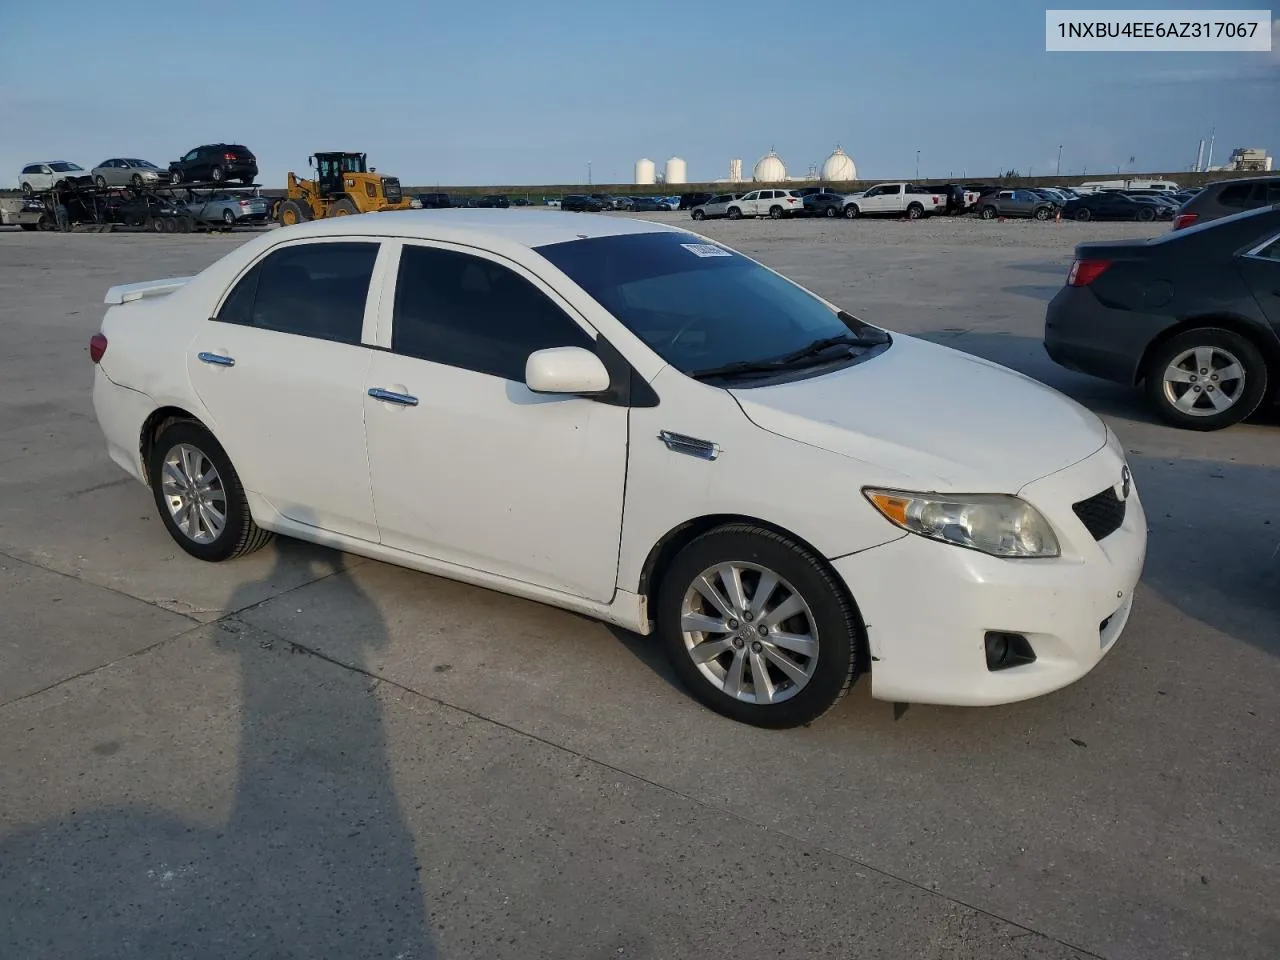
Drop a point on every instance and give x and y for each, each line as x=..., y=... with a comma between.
x=470, y=467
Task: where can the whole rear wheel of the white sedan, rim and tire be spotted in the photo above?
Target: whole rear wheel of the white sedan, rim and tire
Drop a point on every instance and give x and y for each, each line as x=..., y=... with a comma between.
x=200, y=496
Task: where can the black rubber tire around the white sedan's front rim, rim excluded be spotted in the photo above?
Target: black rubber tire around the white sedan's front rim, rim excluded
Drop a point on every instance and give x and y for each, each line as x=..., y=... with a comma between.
x=839, y=629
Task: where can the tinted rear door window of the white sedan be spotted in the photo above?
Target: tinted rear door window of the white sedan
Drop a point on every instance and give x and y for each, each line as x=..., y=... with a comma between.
x=310, y=290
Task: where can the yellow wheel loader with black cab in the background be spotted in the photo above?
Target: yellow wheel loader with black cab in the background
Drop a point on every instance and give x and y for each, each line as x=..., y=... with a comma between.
x=344, y=186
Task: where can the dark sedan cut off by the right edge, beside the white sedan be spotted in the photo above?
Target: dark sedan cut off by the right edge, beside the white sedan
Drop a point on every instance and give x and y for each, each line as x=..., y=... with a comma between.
x=1194, y=316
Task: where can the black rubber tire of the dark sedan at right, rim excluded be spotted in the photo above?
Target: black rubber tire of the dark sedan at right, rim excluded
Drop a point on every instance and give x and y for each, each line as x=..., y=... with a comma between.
x=1245, y=353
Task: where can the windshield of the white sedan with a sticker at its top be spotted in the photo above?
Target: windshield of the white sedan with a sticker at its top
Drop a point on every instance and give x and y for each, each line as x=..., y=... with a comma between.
x=696, y=304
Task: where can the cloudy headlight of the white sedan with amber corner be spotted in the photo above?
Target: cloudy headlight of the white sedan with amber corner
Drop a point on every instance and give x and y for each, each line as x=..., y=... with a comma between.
x=995, y=524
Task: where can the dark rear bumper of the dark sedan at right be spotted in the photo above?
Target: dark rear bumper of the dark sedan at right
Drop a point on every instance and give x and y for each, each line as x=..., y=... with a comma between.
x=1084, y=335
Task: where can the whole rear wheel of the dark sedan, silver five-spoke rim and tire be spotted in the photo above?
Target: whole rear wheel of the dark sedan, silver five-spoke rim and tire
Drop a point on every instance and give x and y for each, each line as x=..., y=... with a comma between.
x=1206, y=380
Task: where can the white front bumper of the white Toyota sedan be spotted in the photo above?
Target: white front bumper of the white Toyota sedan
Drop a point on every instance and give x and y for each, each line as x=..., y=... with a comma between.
x=929, y=606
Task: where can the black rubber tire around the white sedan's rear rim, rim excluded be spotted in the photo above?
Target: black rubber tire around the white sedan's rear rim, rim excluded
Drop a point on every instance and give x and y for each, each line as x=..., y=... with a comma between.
x=240, y=534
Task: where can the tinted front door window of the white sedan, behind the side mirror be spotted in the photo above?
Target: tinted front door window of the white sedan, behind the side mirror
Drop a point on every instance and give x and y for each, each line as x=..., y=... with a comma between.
x=474, y=314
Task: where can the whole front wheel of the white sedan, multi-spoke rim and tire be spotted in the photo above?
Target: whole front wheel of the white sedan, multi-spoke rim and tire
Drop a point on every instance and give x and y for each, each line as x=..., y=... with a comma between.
x=757, y=628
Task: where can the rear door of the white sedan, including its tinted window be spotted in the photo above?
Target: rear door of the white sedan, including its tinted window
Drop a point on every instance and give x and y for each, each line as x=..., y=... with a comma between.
x=281, y=369
